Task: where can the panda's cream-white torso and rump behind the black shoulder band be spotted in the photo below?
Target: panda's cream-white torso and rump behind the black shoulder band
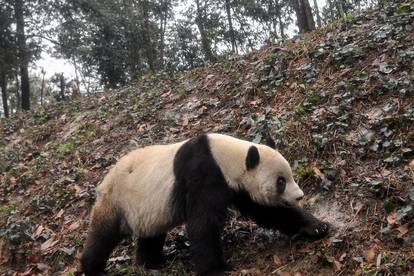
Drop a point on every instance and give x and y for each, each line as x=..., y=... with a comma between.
x=141, y=183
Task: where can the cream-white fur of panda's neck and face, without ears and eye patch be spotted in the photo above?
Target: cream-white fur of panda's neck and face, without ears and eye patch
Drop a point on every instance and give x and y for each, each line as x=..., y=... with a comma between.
x=230, y=154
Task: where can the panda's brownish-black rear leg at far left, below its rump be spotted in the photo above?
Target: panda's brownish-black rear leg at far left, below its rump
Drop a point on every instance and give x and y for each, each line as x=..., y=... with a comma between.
x=105, y=232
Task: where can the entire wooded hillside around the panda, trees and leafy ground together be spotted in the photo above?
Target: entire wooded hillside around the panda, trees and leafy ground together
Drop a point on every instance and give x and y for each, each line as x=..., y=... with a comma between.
x=331, y=82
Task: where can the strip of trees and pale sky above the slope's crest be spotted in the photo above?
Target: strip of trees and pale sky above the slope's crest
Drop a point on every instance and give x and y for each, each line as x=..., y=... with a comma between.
x=111, y=43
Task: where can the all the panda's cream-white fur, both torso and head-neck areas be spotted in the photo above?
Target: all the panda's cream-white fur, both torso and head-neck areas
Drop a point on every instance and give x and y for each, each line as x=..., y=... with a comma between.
x=142, y=181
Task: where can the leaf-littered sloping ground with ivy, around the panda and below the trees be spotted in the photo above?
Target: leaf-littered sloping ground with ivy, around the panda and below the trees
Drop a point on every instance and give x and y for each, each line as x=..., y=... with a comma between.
x=339, y=101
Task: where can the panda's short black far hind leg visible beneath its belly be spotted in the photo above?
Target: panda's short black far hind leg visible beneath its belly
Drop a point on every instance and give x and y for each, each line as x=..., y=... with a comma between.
x=149, y=252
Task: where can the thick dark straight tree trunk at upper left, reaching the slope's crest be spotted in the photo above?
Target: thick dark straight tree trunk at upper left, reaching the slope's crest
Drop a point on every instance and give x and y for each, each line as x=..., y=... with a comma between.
x=23, y=54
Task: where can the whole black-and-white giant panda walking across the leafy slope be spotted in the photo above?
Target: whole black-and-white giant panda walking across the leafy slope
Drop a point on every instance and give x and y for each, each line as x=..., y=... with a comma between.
x=153, y=189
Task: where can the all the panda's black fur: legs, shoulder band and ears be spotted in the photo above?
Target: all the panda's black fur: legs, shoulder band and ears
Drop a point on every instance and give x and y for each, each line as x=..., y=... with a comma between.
x=200, y=198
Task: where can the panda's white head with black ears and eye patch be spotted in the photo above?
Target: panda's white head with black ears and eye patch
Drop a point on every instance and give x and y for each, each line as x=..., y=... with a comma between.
x=268, y=176
